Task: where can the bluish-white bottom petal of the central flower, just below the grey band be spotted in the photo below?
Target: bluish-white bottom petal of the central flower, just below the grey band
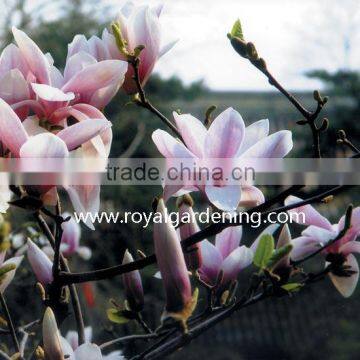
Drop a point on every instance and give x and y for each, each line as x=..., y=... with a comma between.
x=226, y=198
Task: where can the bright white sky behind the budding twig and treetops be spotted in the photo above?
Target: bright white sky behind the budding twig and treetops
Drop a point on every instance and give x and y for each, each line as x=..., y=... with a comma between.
x=292, y=36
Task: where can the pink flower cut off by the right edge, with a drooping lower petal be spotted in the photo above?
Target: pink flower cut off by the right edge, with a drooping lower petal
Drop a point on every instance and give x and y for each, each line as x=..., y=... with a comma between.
x=319, y=232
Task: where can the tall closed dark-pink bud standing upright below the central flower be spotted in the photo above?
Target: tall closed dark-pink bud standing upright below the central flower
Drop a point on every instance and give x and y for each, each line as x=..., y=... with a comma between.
x=171, y=262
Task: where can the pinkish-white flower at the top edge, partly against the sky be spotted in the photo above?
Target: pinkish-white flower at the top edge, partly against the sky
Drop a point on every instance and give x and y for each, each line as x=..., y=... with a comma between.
x=139, y=25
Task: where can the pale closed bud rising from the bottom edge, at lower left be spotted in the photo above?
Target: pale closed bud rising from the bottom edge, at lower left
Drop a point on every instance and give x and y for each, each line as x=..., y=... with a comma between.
x=51, y=337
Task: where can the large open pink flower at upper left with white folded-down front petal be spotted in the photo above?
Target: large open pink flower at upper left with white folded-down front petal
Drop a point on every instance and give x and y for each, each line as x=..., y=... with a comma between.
x=85, y=81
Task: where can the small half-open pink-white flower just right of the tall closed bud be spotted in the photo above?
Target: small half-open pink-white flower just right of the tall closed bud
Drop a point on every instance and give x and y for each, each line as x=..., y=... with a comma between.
x=226, y=257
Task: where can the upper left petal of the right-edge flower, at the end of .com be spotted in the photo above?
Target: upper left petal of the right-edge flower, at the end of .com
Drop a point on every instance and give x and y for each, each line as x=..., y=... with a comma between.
x=310, y=215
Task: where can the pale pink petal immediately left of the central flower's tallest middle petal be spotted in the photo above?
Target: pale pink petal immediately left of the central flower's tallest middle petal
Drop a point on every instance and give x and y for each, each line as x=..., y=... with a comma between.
x=192, y=131
